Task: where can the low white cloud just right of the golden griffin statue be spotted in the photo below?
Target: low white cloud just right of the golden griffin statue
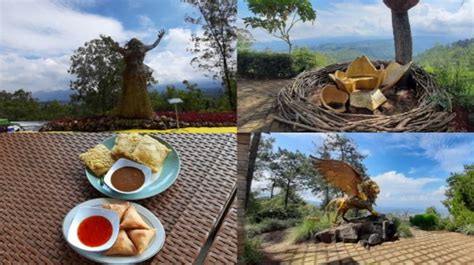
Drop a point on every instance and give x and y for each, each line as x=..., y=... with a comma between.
x=400, y=191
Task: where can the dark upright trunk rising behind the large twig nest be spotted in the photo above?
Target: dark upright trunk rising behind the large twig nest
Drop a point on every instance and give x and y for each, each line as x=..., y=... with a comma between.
x=402, y=37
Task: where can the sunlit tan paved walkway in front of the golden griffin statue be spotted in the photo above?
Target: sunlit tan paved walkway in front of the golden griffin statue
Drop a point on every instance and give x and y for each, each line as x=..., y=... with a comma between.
x=424, y=248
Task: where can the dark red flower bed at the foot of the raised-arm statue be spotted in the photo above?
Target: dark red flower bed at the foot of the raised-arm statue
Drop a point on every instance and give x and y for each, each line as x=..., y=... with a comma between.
x=162, y=121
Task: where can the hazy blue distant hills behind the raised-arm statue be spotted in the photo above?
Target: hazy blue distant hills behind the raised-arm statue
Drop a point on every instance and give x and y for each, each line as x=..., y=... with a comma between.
x=210, y=88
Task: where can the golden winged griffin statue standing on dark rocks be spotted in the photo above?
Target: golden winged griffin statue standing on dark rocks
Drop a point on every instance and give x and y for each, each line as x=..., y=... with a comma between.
x=361, y=192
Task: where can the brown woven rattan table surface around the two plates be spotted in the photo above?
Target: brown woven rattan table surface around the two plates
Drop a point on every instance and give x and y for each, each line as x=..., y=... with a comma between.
x=41, y=179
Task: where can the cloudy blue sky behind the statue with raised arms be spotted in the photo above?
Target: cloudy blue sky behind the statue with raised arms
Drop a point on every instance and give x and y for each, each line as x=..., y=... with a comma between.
x=38, y=37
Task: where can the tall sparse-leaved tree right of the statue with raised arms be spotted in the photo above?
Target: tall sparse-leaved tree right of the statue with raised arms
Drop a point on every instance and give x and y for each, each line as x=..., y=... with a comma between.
x=215, y=47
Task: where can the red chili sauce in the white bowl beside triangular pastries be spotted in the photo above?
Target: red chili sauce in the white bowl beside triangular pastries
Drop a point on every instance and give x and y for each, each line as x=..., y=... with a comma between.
x=94, y=231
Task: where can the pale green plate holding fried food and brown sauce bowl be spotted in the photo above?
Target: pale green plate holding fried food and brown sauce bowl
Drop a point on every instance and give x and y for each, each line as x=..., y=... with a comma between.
x=166, y=177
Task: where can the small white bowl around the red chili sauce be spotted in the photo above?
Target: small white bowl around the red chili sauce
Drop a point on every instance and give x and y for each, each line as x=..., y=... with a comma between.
x=86, y=212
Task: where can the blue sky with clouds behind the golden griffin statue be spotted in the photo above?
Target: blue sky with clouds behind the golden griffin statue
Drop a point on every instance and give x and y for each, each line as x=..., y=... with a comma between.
x=411, y=168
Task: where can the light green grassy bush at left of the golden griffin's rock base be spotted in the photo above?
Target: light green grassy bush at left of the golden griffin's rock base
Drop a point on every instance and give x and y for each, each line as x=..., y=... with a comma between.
x=305, y=230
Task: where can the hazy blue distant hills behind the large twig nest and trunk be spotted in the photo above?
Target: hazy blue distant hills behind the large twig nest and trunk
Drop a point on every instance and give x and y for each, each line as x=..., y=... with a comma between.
x=347, y=48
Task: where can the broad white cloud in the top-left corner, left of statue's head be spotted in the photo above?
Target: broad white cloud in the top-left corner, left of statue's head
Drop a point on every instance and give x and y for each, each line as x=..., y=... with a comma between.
x=50, y=28
